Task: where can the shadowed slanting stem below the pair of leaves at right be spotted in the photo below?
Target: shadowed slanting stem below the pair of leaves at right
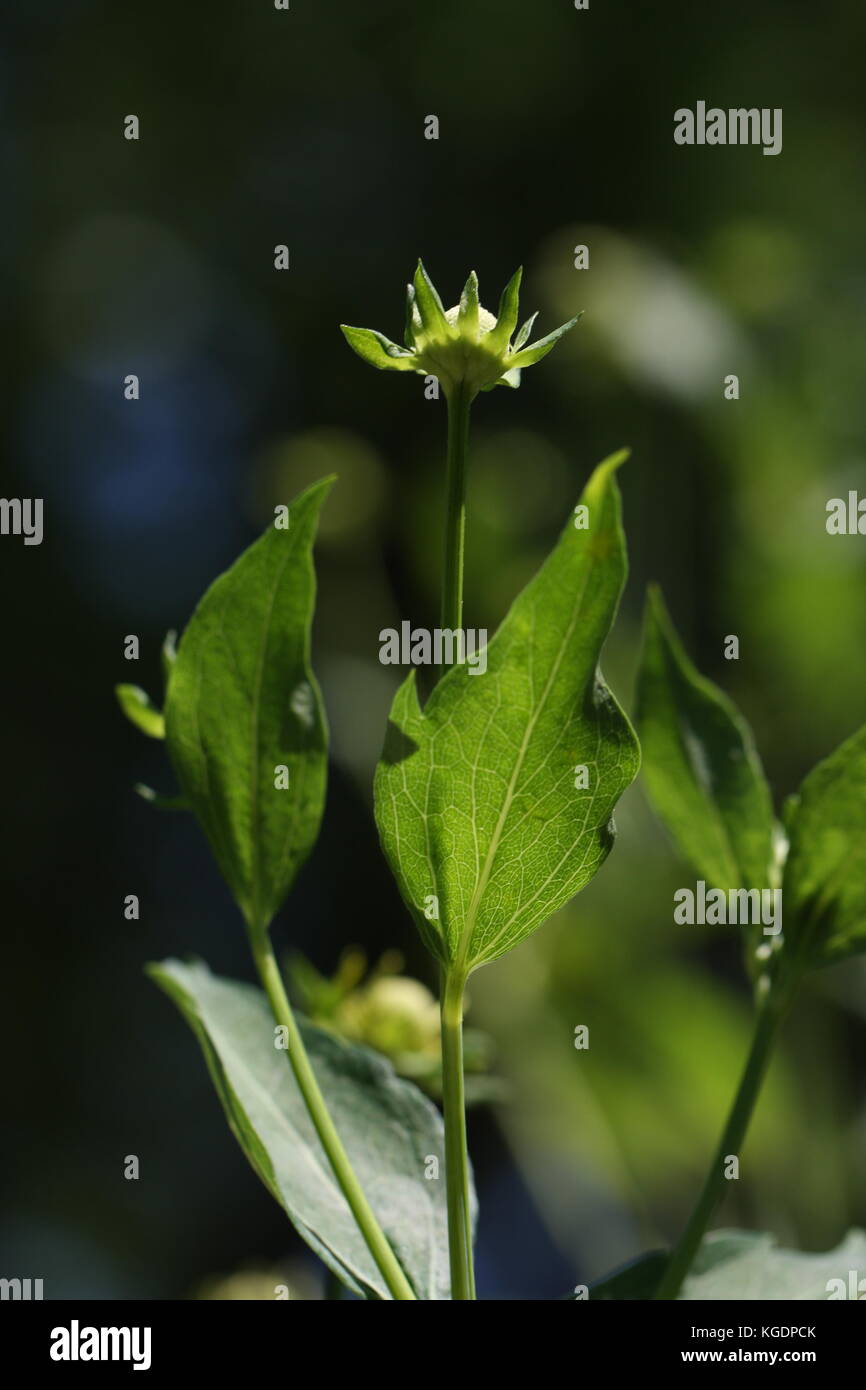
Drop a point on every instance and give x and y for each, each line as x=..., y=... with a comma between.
x=733, y=1136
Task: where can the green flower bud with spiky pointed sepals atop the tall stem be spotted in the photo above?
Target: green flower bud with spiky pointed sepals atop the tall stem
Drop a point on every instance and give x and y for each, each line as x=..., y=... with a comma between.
x=462, y=347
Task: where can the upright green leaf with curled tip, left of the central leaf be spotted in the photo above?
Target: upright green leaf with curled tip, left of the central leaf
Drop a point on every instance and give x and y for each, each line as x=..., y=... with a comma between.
x=243, y=703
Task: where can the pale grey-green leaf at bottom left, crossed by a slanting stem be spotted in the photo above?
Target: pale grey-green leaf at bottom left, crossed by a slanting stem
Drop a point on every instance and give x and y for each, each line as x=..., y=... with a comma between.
x=389, y=1128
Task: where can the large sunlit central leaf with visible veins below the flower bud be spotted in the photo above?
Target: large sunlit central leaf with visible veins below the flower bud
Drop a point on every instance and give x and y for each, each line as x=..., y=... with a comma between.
x=476, y=797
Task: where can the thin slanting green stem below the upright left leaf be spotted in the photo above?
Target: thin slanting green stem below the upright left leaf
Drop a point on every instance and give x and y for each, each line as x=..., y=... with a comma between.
x=369, y=1227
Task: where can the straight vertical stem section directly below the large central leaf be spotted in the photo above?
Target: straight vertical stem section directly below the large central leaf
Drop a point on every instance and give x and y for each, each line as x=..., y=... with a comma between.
x=457, y=1154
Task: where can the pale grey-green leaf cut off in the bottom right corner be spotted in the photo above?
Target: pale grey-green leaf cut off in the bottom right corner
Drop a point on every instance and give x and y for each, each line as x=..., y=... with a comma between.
x=740, y=1266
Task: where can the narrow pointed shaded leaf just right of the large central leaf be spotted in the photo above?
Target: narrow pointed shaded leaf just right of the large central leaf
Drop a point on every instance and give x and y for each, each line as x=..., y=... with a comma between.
x=701, y=767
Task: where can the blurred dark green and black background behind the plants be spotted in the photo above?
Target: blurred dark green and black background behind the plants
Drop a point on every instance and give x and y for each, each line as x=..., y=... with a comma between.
x=158, y=258
